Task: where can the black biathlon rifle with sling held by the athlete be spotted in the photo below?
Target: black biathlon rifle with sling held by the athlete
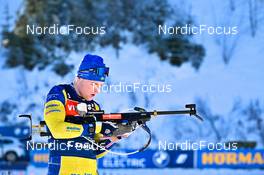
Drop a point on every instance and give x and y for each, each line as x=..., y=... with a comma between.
x=137, y=118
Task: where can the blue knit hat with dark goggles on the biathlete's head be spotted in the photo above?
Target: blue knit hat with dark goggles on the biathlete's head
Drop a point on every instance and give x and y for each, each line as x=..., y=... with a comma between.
x=92, y=67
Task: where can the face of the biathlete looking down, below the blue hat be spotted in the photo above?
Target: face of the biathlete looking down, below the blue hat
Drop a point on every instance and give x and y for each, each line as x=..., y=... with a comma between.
x=88, y=88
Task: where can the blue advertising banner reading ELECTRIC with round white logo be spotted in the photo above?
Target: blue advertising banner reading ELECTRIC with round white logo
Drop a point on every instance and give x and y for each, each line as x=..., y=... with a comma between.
x=149, y=159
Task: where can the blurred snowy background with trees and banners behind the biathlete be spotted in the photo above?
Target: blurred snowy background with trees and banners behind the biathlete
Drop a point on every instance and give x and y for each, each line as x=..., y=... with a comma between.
x=221, y=73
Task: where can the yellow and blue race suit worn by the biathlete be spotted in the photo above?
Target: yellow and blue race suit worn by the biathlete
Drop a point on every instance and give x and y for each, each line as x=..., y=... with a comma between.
x=73, y=156
